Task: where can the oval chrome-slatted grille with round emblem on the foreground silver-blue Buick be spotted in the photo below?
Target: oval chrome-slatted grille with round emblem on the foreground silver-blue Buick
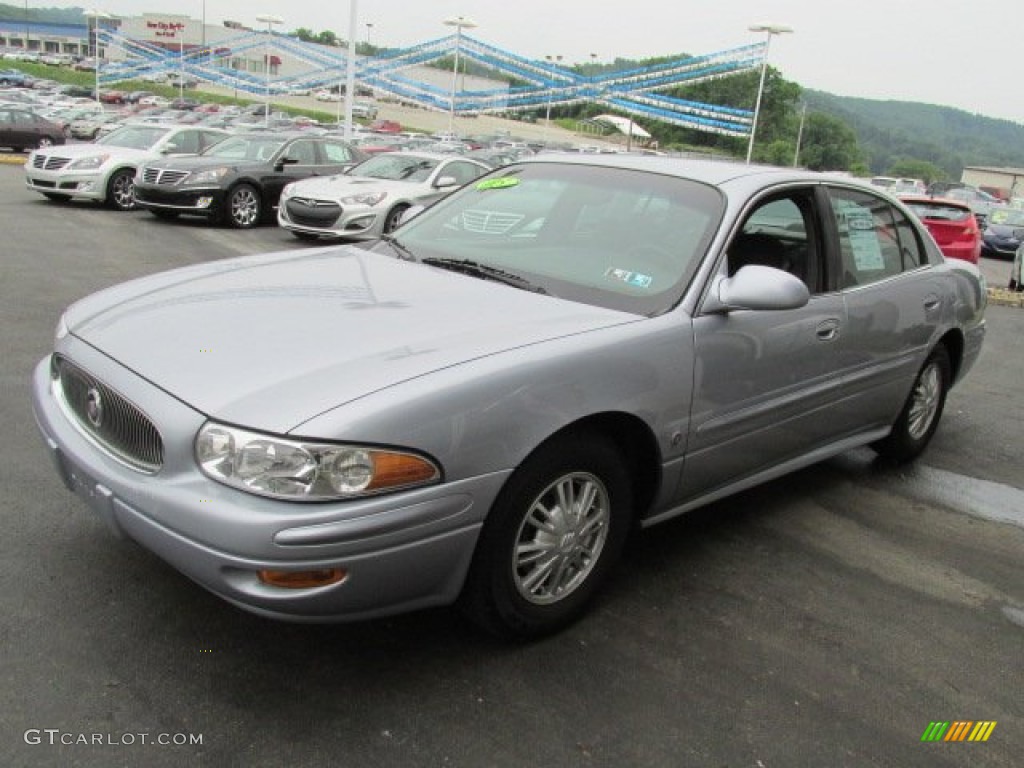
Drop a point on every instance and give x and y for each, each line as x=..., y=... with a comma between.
x=108, y=417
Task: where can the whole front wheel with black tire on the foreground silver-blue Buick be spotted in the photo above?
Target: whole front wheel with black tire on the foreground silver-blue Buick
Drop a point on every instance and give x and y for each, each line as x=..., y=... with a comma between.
x=535, y=569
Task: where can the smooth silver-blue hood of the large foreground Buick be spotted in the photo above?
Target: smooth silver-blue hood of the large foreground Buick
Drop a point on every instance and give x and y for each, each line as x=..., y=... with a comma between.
x=272, y=342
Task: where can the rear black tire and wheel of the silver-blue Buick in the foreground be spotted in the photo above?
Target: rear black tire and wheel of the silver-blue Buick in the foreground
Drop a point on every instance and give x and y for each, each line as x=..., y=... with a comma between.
x=920, y=417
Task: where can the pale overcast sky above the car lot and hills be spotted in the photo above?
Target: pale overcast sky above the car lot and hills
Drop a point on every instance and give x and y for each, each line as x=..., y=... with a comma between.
x=949, y=53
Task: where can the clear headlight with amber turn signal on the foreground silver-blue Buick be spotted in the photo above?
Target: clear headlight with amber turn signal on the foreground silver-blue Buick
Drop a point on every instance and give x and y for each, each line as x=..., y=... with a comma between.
x=302, y=471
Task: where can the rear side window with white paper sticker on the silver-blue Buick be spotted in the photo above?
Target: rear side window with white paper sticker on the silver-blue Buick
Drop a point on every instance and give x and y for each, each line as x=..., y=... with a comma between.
x=877, y=241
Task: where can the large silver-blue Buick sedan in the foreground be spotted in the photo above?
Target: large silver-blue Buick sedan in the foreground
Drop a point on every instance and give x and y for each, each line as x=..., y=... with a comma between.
x=479, y=408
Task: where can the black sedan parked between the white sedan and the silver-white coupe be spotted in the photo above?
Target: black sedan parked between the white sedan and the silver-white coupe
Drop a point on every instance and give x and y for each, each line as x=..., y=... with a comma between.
x=239, y=182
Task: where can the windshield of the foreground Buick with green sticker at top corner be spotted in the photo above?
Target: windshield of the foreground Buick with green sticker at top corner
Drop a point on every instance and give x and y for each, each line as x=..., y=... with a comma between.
x=619, y=239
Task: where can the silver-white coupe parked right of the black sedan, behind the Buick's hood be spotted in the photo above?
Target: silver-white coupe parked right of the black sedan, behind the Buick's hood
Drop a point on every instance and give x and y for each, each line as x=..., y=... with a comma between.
x=370, y=200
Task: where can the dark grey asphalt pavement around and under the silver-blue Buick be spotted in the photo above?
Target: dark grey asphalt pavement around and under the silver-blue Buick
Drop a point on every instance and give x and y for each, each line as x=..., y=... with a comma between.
x=828, y=619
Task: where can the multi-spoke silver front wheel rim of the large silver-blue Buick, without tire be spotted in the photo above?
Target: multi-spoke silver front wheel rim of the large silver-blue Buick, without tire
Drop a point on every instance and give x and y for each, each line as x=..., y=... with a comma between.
x=562, y=538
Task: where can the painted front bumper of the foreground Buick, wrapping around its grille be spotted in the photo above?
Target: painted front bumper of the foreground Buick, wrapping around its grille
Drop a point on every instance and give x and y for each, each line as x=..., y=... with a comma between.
x=401, y=552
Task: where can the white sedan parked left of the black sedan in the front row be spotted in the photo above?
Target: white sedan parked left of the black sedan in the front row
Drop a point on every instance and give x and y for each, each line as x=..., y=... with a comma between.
x=105, y=172
